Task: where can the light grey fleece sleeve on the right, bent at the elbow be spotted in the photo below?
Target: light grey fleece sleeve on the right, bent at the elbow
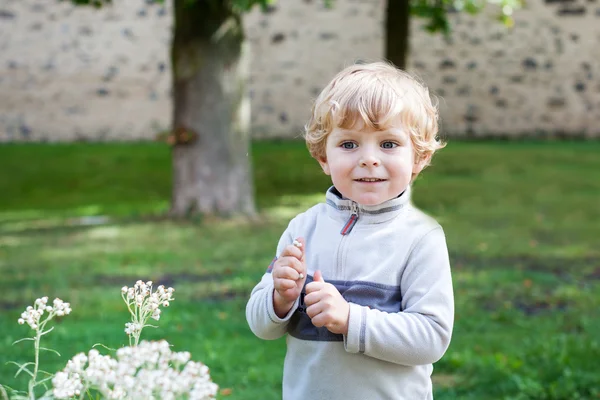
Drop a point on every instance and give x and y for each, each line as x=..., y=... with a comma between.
x=419, y=334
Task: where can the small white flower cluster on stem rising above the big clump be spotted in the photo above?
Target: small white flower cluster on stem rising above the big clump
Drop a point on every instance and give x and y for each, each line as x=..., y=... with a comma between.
x=144, y=304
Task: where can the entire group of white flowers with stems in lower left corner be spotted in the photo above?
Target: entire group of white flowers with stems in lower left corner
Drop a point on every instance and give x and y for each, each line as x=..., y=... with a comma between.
x=145, y=371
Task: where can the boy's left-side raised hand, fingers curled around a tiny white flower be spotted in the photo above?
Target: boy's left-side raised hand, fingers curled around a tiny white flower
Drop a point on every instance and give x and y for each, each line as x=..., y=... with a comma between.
x=289, y=275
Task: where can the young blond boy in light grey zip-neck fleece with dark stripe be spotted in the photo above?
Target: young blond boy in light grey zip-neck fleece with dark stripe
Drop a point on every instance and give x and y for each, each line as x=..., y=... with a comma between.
x=361, y=284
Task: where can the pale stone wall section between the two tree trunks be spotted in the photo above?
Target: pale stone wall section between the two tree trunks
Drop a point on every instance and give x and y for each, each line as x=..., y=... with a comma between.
x=297, y=48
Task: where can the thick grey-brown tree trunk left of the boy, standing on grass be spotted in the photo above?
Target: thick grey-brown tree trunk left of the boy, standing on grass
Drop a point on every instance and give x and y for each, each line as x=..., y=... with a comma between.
x=211, y=112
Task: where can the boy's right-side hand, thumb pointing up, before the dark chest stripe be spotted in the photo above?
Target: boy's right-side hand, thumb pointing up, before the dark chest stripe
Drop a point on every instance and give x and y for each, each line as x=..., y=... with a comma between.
x=326, y=306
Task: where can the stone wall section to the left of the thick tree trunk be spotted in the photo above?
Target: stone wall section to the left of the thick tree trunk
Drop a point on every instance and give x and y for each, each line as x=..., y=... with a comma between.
x=74, y=73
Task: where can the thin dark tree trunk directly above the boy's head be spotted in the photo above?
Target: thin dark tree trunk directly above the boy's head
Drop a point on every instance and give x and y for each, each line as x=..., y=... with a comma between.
x=397, y=31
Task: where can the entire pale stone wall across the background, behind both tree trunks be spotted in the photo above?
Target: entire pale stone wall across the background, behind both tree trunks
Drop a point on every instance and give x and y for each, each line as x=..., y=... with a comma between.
x=81, y=74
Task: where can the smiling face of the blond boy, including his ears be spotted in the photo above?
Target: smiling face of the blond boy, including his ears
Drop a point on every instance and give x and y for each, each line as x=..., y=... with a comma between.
x=369, y=166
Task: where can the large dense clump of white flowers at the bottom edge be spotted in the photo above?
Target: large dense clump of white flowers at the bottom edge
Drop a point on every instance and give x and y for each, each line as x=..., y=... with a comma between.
x=147, y=371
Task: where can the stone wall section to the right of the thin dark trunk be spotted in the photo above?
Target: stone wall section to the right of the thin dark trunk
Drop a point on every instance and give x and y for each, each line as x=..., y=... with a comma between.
x=540, y=78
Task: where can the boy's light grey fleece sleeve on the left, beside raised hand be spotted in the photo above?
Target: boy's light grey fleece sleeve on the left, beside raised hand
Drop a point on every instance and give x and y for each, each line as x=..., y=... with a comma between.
x=260, y=312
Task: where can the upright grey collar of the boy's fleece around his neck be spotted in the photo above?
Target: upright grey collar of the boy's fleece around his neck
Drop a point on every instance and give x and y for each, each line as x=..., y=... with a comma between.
x=341, y=208
